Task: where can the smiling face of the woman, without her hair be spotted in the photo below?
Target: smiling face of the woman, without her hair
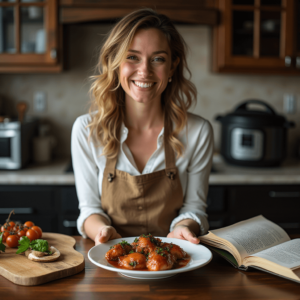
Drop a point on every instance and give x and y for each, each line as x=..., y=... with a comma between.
x=145, y=72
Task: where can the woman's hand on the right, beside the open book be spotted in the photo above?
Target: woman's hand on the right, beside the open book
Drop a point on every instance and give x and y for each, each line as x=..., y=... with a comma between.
x=185, y=230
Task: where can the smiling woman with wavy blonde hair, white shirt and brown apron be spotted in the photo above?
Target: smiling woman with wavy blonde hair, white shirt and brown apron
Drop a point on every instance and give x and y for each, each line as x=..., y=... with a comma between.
x=141, y=161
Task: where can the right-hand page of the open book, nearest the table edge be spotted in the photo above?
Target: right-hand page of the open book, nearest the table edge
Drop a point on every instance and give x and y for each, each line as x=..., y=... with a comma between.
x=286, y=254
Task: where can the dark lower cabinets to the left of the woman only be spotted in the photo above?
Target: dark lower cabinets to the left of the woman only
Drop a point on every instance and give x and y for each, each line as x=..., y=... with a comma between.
x=53, y=208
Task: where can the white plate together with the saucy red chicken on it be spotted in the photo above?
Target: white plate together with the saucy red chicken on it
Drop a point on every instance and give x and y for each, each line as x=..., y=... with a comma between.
x=149, y=257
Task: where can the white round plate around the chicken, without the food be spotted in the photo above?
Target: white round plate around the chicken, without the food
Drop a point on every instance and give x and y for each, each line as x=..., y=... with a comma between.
x=200, y=256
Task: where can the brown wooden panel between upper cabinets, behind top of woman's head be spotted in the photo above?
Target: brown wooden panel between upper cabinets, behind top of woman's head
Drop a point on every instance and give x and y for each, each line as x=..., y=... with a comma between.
x=188, y=11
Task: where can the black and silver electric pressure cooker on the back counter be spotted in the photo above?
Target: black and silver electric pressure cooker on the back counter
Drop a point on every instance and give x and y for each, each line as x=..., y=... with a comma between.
x=256, y=138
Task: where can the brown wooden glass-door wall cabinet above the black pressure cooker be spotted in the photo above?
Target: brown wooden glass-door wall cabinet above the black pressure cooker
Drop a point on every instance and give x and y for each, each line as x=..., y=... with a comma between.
x=257, y=36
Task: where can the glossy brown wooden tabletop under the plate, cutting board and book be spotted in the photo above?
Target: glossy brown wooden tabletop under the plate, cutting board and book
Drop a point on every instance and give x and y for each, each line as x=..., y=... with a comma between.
x=217, y=280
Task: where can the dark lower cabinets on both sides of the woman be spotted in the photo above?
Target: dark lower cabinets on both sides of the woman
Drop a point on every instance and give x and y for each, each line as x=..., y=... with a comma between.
x=55, y=208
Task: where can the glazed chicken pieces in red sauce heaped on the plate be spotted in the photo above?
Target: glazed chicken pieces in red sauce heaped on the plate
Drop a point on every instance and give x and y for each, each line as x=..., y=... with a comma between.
x=146, y=253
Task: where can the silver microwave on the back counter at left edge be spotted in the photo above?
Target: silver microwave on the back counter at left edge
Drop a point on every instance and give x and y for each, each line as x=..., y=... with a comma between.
x=16, y=143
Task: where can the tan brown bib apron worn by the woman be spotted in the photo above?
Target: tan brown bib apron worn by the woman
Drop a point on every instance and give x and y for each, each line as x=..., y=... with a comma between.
x=142, y=204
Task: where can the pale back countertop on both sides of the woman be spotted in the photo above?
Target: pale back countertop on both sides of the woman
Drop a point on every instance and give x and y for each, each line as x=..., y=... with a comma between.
x=222, y=174
